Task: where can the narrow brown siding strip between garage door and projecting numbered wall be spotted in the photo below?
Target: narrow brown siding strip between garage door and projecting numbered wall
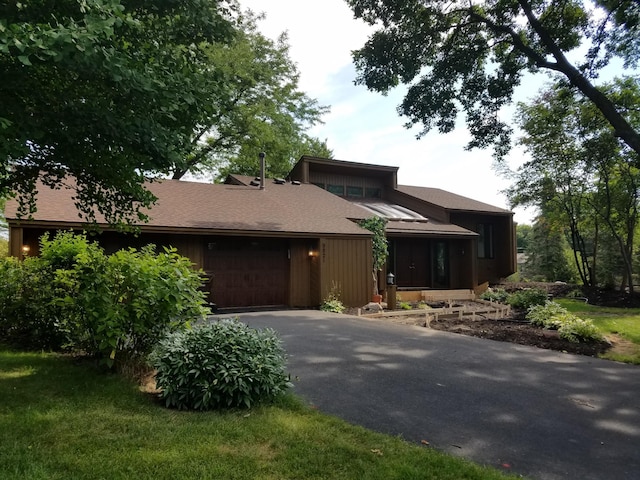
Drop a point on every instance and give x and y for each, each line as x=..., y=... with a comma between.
x=300, y=273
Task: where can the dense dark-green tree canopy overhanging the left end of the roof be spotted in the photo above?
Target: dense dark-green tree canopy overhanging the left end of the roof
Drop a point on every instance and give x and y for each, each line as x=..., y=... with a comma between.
x=104, y=92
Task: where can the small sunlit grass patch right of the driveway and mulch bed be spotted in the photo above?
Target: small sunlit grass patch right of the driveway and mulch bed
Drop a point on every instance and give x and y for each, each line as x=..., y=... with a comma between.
x=612, y=322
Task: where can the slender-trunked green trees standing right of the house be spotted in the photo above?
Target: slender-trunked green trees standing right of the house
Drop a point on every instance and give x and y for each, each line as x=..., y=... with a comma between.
x=579, y=175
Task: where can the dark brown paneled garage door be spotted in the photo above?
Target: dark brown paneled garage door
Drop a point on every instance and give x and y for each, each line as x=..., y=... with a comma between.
x=248, y=272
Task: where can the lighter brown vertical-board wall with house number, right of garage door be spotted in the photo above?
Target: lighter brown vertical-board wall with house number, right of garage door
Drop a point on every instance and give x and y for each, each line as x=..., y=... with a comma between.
x=346, y=265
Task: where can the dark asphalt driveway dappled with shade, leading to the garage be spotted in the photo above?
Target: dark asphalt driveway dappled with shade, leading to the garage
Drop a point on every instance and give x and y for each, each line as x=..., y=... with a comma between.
x=542, y=414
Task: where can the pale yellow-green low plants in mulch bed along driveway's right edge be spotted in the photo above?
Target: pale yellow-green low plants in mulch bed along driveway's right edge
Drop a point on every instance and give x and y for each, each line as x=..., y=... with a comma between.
x=553, y=316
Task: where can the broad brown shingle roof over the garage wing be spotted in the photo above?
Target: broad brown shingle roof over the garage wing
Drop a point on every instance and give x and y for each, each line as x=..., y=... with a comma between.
x=287, y=208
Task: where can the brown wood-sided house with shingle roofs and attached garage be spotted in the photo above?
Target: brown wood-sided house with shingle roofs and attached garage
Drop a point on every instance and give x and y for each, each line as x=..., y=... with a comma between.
x=291, y=242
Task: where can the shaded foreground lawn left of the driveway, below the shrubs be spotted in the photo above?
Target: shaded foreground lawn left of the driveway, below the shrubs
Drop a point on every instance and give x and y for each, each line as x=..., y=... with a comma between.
x=64, y=420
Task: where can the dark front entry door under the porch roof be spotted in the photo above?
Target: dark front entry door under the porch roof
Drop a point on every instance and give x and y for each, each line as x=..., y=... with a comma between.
x=411, y=262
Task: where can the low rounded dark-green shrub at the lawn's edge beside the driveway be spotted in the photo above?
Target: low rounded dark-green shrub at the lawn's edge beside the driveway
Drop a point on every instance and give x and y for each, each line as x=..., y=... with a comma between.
x=223, y=364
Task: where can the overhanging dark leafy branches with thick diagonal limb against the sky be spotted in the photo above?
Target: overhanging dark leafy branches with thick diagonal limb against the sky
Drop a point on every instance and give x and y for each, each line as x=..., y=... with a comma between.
x=470, y=55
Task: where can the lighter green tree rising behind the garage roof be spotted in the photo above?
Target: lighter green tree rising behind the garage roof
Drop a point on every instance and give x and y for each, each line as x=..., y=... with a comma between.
x=262, y=109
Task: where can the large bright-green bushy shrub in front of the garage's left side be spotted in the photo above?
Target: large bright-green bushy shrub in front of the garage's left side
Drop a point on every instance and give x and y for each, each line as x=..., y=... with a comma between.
x=77, y=297
